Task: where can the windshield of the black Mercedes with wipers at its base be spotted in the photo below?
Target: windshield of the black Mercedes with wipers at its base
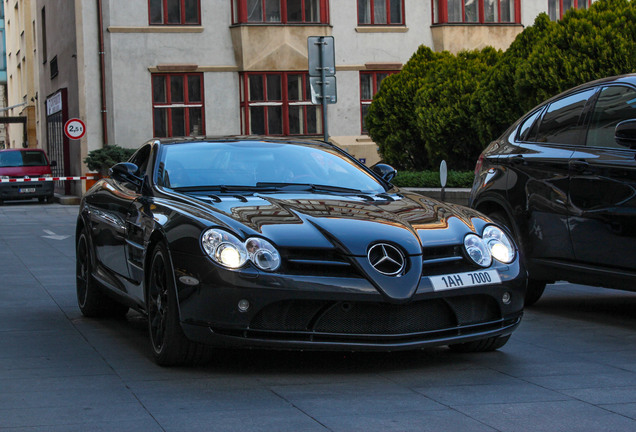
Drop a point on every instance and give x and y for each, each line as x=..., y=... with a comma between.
x=265, y=165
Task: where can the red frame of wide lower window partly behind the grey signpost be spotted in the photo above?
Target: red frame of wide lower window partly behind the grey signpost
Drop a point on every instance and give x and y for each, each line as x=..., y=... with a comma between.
x=284, y=103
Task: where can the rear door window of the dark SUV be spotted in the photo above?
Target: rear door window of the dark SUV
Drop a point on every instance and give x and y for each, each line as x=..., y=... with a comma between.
x=562, y=123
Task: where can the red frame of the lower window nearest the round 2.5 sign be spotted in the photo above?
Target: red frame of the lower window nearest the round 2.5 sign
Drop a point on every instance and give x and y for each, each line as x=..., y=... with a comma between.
x=170, y=105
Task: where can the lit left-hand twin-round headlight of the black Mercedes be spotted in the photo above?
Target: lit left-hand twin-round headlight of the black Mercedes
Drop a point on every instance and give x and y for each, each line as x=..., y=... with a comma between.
x=229, y=251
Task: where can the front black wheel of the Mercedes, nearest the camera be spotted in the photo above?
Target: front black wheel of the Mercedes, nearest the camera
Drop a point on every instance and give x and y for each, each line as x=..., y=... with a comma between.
x=170, y=346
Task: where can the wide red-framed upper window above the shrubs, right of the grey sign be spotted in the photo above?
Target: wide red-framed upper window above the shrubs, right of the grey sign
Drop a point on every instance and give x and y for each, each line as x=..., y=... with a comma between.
x=476, y=11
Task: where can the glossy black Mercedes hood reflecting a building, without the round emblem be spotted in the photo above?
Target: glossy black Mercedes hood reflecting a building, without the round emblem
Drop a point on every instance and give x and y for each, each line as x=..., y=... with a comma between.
x=352, y=224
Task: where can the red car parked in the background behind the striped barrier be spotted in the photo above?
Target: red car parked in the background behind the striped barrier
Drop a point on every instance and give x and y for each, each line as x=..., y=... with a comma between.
x=22, y=163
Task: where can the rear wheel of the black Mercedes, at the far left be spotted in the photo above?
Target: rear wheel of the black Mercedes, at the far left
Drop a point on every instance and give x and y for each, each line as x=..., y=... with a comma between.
x=91, y=299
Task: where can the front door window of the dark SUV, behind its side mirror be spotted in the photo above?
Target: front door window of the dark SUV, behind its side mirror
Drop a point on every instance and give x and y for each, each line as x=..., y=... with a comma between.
x=614, y=104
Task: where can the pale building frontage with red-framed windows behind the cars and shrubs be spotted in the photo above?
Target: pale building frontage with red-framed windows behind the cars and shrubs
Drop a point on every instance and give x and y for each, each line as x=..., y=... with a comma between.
x=157, y=68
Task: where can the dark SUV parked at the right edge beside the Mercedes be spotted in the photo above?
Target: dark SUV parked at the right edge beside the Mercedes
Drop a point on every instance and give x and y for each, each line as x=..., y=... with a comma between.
x=563, y=180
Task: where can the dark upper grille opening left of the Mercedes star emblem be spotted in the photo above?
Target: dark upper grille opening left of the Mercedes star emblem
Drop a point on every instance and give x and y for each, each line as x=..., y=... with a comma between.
x=317, y=262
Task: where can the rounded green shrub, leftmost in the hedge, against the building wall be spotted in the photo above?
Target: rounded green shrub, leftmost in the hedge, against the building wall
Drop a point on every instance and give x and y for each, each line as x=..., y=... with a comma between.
x=430, y=104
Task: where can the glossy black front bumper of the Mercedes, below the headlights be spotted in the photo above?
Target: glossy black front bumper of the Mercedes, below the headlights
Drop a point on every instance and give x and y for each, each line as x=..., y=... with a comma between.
x=253, y=309
